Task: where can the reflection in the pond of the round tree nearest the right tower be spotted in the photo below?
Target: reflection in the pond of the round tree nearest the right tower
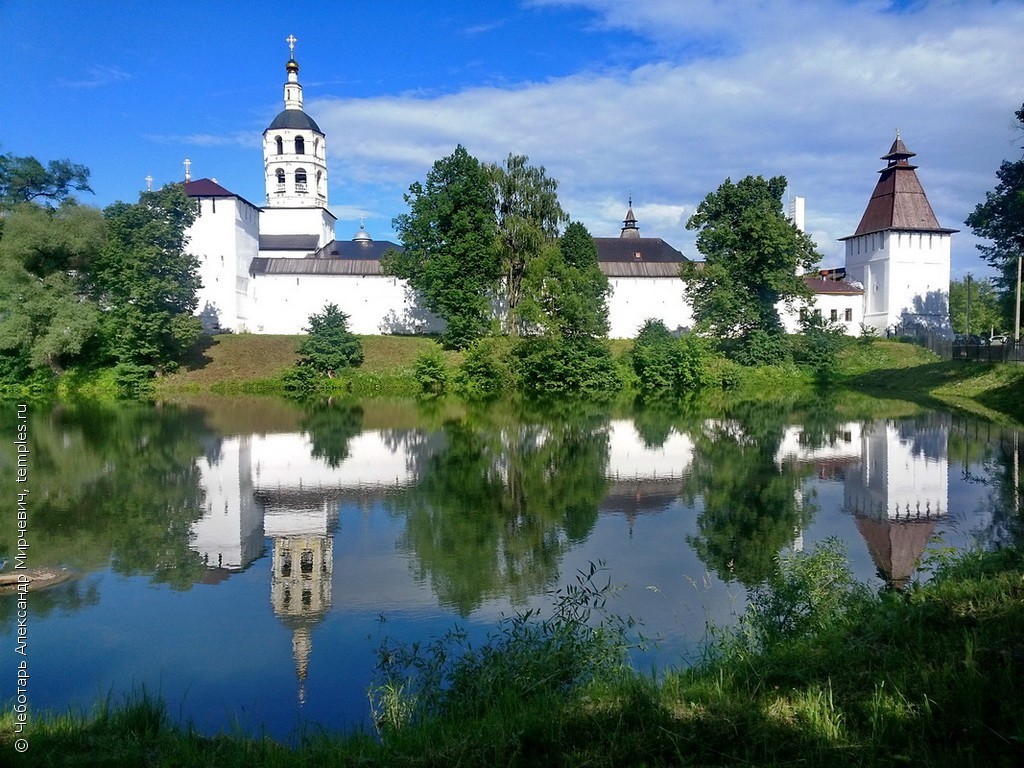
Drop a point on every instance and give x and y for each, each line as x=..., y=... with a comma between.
x=752, y=507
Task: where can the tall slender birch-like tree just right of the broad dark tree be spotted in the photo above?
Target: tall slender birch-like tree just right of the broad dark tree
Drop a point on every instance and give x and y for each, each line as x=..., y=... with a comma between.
x=529, y=217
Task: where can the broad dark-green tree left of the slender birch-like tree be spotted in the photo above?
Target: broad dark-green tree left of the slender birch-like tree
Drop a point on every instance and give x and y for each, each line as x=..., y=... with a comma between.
x=450, y=239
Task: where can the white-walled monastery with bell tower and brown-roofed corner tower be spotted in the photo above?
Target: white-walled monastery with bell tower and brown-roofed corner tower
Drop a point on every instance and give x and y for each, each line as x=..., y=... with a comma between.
x=266, y=269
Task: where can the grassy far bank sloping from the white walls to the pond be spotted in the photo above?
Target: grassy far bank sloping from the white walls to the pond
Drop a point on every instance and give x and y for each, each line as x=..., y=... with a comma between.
x=251, y=365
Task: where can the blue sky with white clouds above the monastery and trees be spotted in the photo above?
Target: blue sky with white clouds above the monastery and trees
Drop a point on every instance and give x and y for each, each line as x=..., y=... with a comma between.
x=659, y=100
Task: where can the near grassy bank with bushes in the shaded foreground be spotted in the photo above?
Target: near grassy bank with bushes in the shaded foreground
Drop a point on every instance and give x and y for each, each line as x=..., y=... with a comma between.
x=821, y=672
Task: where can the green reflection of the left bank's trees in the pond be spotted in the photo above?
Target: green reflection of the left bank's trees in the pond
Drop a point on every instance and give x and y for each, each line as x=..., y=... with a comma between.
x=116, y=485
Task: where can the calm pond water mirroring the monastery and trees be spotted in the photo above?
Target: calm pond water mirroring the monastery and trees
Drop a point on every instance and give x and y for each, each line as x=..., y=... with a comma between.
x=244, y=559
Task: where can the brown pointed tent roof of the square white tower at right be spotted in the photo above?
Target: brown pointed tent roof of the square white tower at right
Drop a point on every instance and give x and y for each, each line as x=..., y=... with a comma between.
x=899, y=201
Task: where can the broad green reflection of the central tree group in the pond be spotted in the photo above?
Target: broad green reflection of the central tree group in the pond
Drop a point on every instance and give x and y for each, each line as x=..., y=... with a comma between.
x=495, y=510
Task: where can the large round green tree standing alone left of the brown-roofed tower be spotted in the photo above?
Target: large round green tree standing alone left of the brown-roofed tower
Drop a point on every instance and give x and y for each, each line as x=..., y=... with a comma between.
x=753, y=254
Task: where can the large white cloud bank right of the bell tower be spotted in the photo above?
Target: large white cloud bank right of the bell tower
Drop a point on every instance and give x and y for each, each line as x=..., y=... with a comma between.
x=813, y=92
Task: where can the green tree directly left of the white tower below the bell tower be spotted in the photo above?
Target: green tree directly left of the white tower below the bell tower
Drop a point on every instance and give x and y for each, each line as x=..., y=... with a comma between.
x=146, y=282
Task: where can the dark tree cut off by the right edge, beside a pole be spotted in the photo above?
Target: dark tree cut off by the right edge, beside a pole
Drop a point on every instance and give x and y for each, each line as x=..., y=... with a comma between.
x=1001, y=220
